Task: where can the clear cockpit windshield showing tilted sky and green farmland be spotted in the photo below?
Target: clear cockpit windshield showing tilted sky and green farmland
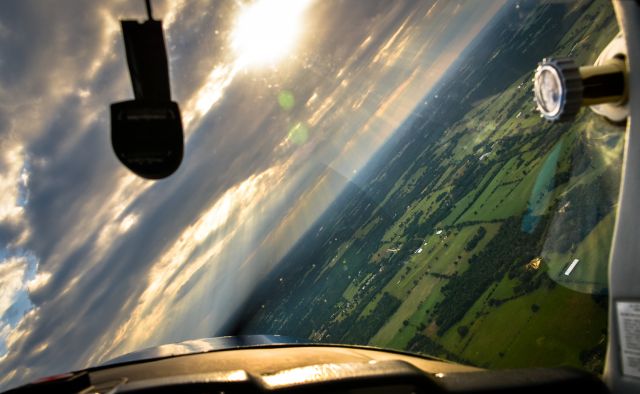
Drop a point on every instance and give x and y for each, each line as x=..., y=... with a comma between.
x=359, y=172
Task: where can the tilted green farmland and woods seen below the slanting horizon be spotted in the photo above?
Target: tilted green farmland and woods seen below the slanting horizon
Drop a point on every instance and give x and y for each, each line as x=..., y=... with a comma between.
x=481, y=233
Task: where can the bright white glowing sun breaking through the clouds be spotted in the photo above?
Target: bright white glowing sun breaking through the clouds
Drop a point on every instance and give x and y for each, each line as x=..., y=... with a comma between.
x=267, y=30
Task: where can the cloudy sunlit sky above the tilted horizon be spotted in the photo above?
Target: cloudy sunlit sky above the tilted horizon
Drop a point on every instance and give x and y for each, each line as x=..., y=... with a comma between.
x=283, y=101
